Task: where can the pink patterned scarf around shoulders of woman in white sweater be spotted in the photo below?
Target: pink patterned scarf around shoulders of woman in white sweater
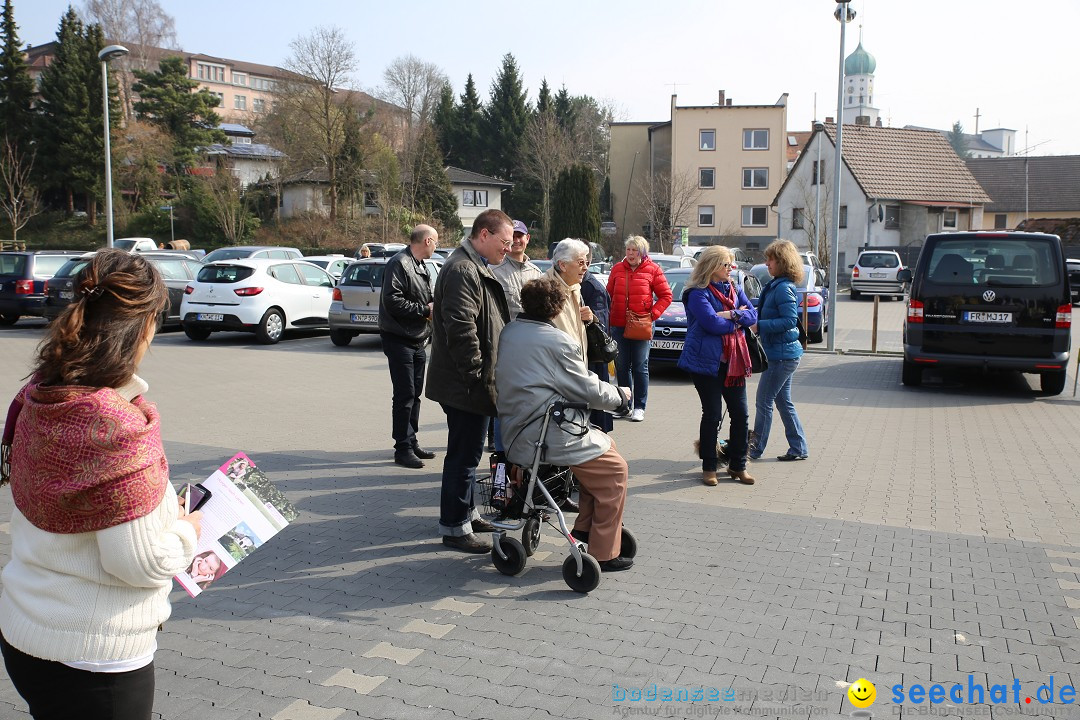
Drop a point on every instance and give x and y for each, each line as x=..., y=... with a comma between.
x=84, y=459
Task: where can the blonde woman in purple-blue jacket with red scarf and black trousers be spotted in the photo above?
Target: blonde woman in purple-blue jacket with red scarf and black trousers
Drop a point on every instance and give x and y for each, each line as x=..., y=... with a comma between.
x=717, y=358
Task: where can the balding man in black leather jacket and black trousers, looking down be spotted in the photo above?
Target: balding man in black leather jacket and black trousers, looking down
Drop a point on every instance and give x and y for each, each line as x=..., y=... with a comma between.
x=406, y=329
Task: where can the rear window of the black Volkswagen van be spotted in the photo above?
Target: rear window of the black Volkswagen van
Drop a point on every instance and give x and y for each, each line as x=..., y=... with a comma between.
x=995, y=262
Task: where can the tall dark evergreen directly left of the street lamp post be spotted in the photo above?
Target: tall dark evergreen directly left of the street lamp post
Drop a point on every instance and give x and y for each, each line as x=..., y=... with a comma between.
x=71, y=147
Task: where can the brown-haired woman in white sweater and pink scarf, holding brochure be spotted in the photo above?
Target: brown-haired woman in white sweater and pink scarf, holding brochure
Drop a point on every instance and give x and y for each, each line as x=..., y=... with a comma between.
x=98, y=532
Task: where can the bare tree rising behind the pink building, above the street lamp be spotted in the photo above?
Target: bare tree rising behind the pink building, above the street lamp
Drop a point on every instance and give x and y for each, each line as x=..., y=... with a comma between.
x=144, y=28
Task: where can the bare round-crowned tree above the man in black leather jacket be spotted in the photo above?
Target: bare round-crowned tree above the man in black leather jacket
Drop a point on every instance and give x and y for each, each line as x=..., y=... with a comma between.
x=416, y=87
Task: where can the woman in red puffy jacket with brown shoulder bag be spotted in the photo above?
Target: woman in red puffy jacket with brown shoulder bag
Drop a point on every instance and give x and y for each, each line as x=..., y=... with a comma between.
x=637, y=284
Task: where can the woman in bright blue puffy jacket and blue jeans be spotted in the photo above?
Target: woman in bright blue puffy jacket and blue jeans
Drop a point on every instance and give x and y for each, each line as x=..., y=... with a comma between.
x=778, y=311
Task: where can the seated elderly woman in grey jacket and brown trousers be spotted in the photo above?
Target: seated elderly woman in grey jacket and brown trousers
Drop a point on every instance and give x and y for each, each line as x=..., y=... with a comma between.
x=539, y=364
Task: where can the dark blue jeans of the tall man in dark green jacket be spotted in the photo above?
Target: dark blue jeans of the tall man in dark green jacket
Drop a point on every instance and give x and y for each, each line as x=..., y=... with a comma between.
x=465, y=447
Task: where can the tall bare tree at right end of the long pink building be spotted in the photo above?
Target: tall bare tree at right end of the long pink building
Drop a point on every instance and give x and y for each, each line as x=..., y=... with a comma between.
x=322, y=63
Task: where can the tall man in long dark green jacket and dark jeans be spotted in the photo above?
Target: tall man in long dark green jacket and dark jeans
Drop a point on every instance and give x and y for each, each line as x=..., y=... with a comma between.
x=470, y=313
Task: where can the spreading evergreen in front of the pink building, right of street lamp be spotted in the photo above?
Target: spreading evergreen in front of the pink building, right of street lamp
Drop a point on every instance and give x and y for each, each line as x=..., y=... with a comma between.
x=167, y=101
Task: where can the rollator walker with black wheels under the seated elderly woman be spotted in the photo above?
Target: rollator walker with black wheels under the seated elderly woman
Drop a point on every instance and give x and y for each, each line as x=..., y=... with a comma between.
x=518, y=498
